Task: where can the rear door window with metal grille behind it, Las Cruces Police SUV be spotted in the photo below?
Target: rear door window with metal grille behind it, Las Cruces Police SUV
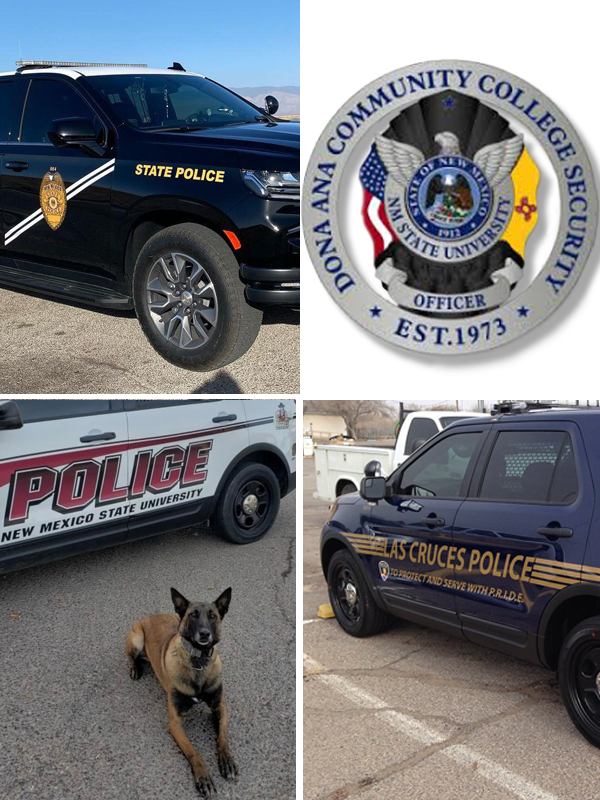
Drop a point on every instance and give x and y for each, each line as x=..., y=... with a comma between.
x=531, y=467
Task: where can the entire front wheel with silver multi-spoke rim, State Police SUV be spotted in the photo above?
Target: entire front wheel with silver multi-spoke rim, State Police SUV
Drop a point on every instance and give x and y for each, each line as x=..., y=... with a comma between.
x=190, y=300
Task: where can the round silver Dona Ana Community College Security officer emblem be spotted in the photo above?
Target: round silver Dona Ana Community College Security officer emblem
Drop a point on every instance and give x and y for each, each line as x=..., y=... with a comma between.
x=449, y=201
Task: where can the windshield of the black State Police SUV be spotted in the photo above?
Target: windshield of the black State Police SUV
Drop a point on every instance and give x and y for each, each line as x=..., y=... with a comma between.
x=165, y=101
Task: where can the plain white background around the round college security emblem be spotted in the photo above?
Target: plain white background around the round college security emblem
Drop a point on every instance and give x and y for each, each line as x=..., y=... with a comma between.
x=347, y=45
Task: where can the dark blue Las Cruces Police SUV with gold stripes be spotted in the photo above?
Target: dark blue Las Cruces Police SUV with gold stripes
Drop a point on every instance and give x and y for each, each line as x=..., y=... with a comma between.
x=489, y=532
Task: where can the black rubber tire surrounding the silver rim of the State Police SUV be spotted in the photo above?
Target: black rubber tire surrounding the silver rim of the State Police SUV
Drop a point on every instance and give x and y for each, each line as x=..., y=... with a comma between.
x=237, y=323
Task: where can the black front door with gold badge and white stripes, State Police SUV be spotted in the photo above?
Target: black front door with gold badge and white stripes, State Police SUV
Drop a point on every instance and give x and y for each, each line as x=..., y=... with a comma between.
x=56, y=200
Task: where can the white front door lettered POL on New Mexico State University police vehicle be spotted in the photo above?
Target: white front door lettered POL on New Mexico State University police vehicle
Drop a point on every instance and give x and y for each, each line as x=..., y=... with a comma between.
x=59, y=472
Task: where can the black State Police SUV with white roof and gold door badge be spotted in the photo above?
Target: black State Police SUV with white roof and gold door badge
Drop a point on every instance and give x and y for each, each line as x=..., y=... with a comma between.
x=159, y=190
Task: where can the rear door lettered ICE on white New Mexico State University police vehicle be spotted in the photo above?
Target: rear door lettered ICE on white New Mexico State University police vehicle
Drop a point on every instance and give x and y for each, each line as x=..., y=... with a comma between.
x=181, y=449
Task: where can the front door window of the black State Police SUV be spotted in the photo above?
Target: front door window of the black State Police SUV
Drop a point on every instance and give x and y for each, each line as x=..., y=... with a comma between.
x=49, y=100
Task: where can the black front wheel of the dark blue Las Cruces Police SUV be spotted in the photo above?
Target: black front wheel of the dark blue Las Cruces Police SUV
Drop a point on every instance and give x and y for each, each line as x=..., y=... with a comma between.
x=363, y=617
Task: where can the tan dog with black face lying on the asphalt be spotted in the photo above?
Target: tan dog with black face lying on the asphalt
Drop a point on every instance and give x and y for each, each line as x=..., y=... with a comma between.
x=182, y=649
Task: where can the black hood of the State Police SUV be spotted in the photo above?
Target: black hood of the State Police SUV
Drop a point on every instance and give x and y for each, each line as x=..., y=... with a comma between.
x=259, y=145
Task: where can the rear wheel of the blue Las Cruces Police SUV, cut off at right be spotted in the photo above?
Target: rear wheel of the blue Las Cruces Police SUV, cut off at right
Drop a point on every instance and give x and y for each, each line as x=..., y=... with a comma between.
x=578, y=677
